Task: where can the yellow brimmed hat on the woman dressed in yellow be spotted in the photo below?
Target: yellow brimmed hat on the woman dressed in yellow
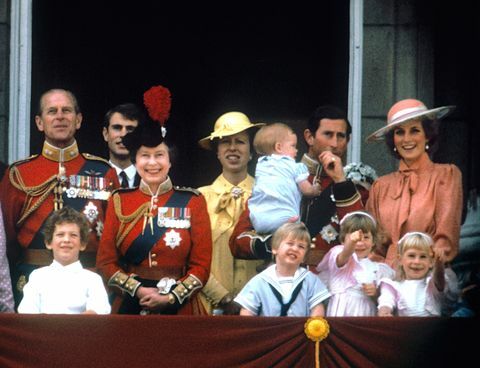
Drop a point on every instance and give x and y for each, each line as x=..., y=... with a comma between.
x=229, y=123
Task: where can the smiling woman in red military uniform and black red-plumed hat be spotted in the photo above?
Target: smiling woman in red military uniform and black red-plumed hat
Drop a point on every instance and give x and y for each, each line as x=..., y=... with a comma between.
x=156, y=245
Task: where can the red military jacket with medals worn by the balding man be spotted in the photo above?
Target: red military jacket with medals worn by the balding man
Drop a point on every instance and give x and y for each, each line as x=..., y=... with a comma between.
x=27, y=194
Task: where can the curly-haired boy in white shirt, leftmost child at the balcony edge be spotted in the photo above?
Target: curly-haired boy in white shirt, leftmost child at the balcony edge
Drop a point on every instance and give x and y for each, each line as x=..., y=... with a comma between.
x=65, y=287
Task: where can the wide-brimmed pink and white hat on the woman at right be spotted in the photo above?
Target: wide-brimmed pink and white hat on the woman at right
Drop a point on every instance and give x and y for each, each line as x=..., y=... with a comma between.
x=406, y=110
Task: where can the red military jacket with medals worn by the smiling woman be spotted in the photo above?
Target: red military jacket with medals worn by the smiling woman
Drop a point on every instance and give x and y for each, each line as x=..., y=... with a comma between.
x=176, y=241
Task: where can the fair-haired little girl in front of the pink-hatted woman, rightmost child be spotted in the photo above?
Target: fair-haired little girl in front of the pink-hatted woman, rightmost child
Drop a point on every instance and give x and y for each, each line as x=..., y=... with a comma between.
x=423, y=286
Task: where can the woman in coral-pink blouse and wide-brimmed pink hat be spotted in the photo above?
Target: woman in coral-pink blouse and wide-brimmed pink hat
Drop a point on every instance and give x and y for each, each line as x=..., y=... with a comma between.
x=421, y=195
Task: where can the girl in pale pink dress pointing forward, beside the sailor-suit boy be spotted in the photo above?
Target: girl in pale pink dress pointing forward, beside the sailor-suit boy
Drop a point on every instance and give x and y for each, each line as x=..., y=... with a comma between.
x=350, y=275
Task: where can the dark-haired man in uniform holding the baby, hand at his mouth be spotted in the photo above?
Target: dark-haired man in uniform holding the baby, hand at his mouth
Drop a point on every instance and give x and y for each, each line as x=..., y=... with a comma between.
x=327, y=137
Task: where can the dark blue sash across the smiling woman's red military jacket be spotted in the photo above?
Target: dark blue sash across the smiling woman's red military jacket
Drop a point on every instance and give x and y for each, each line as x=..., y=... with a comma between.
x=142, y=245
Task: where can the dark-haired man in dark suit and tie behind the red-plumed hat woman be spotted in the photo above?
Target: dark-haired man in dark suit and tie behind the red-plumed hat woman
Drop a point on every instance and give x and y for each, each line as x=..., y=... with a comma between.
x=119, y=121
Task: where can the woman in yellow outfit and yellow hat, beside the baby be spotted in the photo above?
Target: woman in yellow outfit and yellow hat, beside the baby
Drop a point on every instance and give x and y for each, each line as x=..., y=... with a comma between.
x=226, y=197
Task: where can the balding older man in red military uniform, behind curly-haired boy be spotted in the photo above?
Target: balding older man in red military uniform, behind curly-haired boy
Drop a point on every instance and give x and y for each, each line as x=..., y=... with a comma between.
x=59, y=176
